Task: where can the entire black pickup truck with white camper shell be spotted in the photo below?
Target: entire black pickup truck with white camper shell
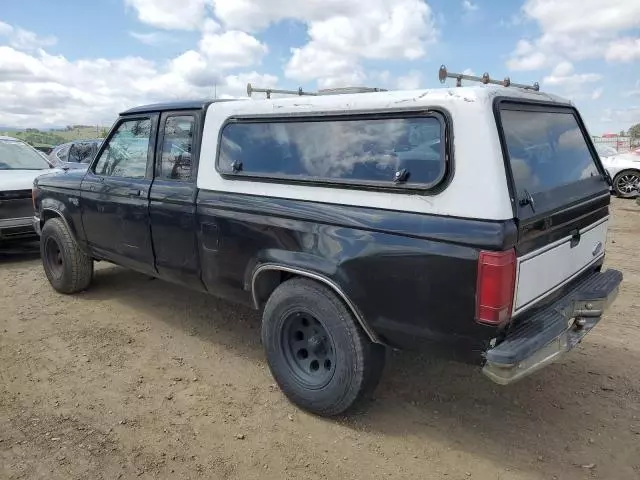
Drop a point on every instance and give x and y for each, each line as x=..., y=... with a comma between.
x=484, y=239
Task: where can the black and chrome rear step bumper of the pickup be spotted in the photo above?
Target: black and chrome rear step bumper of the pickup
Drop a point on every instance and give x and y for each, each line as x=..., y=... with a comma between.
x=545, y=336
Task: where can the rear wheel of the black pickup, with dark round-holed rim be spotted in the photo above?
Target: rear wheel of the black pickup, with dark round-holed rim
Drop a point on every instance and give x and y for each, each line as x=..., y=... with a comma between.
x=301, y=316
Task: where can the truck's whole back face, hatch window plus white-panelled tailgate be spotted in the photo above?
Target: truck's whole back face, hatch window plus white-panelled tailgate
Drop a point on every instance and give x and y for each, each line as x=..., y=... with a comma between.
x=561, y=197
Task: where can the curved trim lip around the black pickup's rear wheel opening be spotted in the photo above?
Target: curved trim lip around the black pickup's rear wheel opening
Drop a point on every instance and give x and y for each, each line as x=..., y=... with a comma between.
x=267, y=277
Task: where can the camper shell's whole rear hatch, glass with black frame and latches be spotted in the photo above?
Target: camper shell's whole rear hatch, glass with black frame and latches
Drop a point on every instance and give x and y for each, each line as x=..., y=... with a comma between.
x=549, y=157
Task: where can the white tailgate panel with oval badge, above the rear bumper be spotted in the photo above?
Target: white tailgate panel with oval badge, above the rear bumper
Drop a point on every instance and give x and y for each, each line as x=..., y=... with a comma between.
x=544, y=270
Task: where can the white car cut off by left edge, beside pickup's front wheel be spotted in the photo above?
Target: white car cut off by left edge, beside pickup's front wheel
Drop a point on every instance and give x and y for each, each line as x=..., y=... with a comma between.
x=20, y=164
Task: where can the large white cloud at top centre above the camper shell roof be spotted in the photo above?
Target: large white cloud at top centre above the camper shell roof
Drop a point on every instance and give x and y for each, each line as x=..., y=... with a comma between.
x=341, y=32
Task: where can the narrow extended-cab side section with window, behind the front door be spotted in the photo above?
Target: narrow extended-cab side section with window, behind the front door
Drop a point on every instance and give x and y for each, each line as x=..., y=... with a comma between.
x=172, y=199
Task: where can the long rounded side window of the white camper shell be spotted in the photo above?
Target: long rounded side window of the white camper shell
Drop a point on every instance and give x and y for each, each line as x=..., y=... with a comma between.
x=399, y=151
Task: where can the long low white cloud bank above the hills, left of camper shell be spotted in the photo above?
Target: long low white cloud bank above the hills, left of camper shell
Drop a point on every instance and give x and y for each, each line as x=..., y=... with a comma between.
x=41, y=89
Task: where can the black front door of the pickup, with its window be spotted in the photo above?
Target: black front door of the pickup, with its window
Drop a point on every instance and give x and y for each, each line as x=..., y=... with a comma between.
x=115, y=195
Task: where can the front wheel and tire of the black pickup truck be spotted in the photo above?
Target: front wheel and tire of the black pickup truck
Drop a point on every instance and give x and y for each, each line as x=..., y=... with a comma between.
x=68, y=269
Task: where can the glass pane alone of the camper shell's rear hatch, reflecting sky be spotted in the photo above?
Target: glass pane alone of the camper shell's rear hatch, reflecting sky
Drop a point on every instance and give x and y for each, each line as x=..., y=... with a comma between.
x=546, y=150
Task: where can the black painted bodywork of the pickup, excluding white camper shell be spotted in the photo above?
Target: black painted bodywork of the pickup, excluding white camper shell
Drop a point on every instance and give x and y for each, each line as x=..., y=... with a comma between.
x=411, y=277
